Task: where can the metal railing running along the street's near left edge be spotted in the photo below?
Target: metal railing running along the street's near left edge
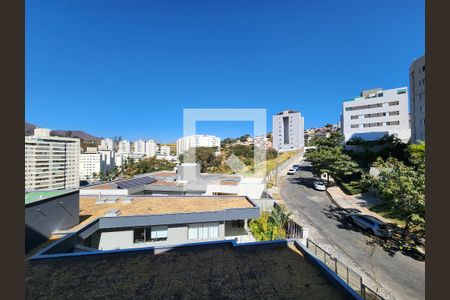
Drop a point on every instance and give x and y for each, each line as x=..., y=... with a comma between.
x=352, y=278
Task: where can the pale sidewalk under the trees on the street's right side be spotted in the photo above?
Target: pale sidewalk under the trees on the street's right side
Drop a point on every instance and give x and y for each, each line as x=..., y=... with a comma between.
x=361, y=202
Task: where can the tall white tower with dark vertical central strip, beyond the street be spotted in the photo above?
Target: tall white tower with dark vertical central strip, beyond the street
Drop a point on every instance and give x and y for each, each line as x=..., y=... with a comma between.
x=288, y=130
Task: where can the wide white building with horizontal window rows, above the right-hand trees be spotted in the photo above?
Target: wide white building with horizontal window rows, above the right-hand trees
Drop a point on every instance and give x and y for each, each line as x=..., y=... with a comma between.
x=376, y=112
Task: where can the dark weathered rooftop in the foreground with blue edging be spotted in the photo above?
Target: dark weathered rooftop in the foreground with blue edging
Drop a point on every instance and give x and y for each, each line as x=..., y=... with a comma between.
x=217, y=272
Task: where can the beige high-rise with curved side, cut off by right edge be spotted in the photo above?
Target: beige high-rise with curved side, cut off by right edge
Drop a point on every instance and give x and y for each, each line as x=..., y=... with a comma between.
x=417, y=99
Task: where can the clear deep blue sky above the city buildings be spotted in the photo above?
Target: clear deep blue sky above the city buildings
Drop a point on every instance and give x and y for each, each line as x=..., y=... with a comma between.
x=128, y=68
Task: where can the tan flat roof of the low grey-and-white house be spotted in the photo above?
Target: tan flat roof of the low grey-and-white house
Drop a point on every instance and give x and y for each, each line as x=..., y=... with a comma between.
x=157, y=205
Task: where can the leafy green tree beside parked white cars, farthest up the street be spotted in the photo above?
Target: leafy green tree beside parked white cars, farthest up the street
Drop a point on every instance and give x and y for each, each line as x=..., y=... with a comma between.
x=332, y=161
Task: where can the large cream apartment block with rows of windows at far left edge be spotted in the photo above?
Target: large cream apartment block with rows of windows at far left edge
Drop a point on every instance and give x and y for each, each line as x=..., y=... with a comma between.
x=51, y=162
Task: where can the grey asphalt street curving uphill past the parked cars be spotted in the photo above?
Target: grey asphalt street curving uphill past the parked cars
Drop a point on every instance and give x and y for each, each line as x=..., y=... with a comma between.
x=402, y=276
